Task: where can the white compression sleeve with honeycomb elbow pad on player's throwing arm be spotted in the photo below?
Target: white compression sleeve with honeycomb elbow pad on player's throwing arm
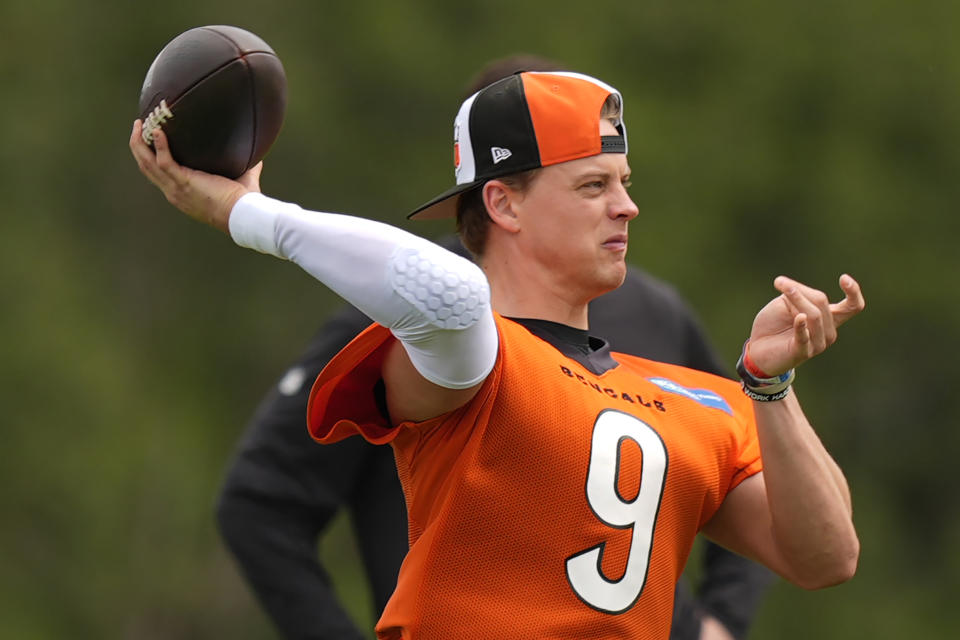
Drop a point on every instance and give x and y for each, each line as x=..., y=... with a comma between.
x=435, y=302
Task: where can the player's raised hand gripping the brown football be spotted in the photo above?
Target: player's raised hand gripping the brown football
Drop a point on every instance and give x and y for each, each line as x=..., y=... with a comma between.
x=203, y=196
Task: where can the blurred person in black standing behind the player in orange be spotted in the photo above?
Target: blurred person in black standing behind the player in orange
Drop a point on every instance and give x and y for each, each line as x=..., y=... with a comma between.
x=282, y=490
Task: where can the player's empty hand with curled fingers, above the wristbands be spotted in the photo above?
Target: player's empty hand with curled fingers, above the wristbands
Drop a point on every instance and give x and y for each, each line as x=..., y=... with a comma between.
x=800, y=323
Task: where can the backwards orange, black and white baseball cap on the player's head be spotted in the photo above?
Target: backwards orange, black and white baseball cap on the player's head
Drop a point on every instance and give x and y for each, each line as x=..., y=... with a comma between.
x=525, y=121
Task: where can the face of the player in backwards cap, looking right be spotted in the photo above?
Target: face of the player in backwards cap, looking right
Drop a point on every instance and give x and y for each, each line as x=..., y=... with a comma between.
x=574, y=217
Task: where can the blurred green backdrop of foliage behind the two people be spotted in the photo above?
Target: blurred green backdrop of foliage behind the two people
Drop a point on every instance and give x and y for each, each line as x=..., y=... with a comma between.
x=807, y=138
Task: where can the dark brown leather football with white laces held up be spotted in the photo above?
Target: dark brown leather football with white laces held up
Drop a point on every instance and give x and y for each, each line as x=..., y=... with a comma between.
x=219, y=93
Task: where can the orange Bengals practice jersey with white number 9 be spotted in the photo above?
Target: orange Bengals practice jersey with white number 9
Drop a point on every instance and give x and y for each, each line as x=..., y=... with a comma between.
x=555, y=504
